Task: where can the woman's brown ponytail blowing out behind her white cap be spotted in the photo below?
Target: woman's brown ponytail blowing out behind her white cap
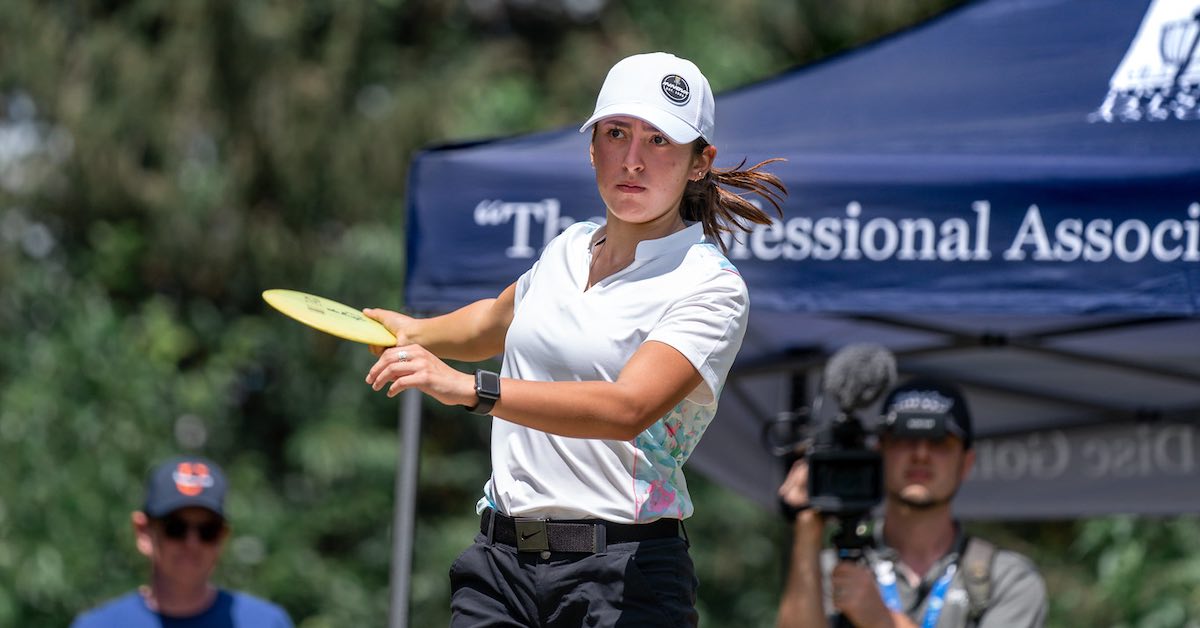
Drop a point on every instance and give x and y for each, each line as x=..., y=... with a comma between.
x=709, y=201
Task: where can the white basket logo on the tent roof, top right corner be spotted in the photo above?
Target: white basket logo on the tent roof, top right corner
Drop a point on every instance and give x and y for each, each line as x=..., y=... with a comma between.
x=1160, y=76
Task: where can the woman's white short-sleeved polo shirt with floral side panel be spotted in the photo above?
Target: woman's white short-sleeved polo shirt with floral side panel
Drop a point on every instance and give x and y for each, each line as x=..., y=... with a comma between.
x=680, y=291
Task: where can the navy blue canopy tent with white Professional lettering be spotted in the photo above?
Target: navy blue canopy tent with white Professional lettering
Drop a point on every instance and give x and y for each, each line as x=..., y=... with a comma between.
x=1009, y=195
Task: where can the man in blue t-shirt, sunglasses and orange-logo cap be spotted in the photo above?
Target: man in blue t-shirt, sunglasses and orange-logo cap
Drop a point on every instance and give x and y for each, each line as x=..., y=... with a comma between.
x=182, y=529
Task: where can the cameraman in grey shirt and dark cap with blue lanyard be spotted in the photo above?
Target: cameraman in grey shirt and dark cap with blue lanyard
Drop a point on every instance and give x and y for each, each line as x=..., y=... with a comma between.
x=922, y=570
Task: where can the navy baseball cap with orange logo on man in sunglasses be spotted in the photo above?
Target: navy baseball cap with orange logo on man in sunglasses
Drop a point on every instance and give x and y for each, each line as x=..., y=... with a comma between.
x=185, y=482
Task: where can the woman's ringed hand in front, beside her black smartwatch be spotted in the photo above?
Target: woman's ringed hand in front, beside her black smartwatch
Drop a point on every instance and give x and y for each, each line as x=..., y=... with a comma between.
x=413, y=367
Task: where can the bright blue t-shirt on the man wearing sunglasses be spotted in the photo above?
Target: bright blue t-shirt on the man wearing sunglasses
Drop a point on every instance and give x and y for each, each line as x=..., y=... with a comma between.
x=232, y=609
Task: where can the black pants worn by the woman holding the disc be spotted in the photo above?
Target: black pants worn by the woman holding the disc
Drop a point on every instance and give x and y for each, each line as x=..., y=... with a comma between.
x=644, y=584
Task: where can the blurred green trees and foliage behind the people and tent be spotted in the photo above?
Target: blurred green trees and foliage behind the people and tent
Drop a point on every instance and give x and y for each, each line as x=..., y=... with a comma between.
x=161, y=164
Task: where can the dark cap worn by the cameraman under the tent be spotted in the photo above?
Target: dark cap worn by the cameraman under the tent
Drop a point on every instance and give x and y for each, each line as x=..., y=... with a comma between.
x=927, y=409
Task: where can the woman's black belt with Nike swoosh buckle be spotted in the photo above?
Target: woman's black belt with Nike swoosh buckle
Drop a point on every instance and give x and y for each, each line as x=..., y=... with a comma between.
x=590, y=536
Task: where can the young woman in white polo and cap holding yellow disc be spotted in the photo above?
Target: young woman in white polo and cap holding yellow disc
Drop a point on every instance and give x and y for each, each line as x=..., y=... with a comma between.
x=616, y=346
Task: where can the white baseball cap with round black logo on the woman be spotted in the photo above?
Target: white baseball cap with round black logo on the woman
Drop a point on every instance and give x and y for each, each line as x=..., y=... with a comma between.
x=663, y=89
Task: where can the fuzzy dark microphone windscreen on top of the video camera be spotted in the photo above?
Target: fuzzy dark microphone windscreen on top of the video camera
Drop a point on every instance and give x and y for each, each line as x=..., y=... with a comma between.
x=860, y=374
